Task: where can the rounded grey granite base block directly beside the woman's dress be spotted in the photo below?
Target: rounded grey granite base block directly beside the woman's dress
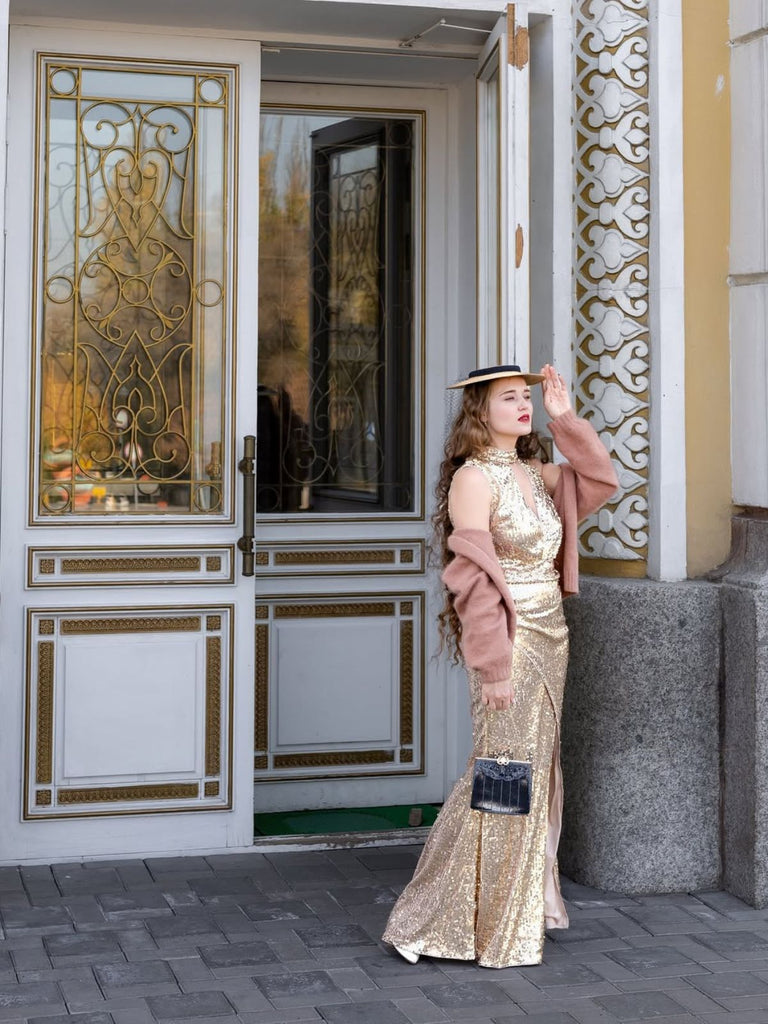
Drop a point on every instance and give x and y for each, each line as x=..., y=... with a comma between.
x=641, y=737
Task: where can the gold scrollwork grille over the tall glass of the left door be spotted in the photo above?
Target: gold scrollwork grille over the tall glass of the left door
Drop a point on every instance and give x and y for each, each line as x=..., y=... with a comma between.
x=133, y=271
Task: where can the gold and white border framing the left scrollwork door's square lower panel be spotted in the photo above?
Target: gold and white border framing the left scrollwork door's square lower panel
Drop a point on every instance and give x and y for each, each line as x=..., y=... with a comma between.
x=44, y=797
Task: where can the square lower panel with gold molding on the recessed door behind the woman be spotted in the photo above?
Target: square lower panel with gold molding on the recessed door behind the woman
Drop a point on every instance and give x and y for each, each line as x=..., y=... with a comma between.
x=346, y=698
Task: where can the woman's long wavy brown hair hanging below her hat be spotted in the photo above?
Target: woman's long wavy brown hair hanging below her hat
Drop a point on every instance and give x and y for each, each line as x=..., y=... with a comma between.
x=468, y=437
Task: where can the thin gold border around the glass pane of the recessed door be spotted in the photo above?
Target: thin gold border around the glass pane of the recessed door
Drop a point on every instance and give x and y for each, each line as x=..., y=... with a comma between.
x=420, y=334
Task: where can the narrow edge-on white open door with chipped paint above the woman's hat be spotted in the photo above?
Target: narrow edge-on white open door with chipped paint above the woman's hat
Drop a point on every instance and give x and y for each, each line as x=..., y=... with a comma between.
x=503, y=195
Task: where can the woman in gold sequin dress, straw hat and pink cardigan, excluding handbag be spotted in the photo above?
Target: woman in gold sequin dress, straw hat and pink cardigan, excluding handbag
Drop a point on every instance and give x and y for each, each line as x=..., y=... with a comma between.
x=487, y=885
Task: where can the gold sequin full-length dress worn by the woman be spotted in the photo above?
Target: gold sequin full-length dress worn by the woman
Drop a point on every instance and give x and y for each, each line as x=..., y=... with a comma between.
x=487, y=884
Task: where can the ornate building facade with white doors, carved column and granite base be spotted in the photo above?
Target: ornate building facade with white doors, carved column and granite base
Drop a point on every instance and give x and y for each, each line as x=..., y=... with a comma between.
x=244, y=257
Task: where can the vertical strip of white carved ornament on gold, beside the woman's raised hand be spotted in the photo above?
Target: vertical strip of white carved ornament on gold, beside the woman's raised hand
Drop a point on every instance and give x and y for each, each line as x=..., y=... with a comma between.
x=612, y=262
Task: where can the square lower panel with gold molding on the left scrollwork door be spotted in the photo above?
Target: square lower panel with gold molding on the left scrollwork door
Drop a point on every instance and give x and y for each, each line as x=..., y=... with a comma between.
x=125, y=743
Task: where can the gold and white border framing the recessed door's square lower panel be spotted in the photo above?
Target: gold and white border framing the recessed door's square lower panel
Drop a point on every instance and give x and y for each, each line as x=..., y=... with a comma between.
x=268, y=765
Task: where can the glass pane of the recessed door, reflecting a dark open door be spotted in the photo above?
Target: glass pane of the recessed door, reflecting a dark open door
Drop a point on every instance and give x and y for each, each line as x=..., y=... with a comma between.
x=335, y=316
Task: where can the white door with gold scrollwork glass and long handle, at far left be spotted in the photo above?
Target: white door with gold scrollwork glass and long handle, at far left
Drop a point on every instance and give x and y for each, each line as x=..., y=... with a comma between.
x=129, y=386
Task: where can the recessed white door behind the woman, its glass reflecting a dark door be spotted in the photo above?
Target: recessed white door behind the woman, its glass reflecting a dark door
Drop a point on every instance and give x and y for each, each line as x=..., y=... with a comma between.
x=351, y=703
